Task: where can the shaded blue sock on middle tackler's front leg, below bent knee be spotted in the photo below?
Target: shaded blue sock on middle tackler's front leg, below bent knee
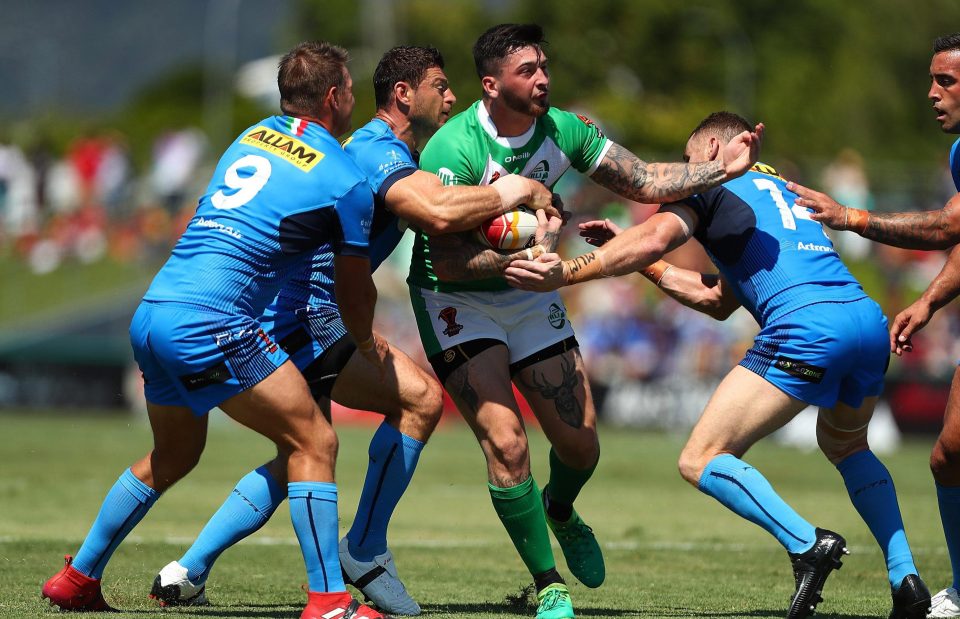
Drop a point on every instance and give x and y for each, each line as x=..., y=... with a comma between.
x=393, y=459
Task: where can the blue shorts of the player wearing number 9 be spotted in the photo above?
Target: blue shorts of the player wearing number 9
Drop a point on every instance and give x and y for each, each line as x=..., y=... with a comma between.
x=193, y=357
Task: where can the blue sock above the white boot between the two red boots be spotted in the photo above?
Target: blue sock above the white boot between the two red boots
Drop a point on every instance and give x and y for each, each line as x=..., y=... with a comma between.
x=247, y=509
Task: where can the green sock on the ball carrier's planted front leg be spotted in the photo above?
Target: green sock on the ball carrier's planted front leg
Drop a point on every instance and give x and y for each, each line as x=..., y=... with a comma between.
x=521, y=512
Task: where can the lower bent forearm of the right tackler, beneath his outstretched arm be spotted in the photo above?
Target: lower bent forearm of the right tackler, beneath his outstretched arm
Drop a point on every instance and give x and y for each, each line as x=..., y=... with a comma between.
x=700, y=291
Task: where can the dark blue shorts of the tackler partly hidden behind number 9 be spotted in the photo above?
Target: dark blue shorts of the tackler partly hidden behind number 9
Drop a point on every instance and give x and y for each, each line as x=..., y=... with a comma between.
x=316, y=339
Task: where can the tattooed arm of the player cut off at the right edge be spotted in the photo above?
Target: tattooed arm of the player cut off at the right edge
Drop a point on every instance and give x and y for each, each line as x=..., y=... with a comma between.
x=921, y=230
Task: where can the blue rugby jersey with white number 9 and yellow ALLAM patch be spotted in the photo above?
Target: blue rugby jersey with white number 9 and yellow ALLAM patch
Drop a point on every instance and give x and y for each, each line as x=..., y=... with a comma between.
x=283, y=188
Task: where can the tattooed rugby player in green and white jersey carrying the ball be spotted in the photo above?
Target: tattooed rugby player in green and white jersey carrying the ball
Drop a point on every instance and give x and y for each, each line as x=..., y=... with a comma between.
x=481, y=336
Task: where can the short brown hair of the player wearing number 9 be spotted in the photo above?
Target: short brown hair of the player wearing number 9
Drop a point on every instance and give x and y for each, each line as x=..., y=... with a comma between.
x=307, y=72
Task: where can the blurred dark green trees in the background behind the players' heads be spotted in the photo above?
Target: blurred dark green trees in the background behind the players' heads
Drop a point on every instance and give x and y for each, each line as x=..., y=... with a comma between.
x=823, y=75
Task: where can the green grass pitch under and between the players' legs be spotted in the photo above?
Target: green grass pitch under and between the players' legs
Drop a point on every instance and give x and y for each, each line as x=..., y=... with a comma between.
x=670, y=551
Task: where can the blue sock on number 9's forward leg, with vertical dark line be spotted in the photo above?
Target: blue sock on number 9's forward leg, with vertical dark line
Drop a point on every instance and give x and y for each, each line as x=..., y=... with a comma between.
x=313, y=509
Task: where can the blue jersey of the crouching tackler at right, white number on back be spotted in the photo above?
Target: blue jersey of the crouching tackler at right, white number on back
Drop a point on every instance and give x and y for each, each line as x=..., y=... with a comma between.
x=776, y=258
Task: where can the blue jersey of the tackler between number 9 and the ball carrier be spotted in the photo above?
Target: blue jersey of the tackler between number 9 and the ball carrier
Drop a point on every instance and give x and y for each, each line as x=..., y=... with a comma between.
x=385, y=159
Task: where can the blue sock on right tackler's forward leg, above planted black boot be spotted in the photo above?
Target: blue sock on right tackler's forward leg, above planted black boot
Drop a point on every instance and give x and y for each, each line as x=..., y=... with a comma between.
x=742, y=489
